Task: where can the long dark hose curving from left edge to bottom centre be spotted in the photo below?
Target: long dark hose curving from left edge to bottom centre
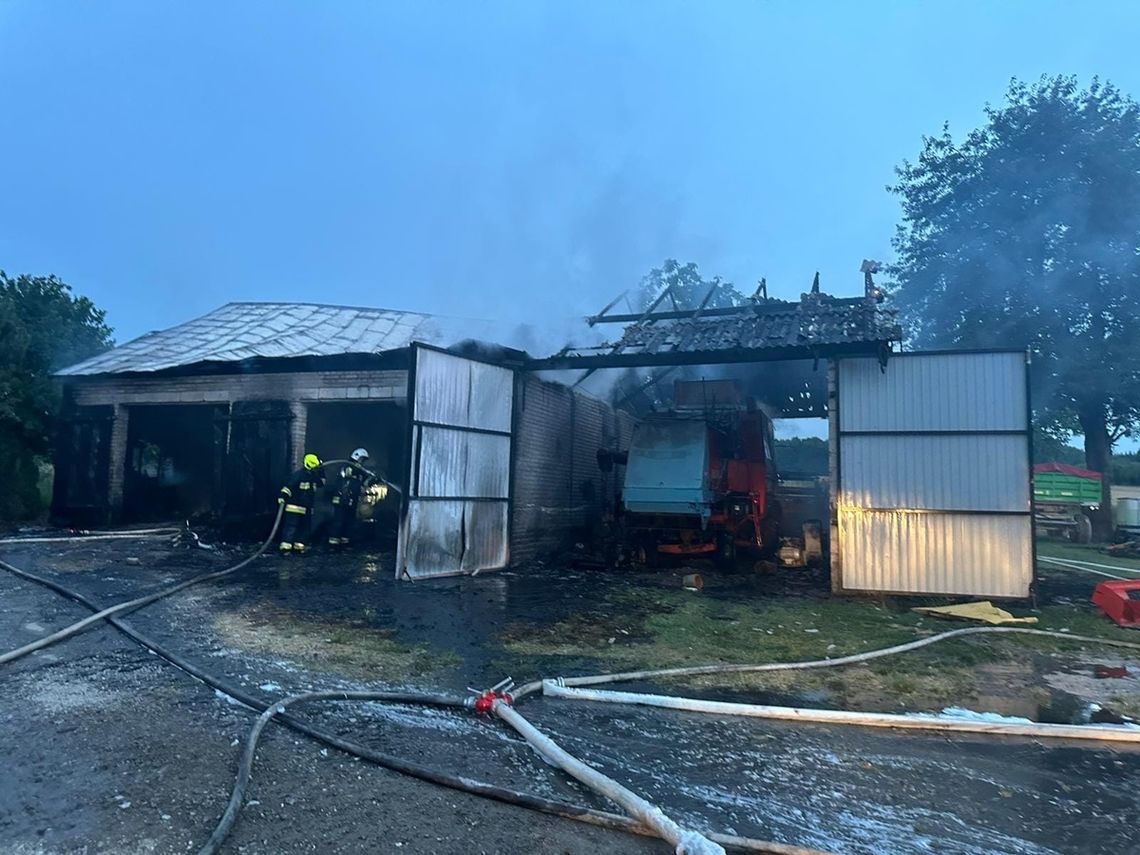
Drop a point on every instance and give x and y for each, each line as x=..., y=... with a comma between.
x=461, y=784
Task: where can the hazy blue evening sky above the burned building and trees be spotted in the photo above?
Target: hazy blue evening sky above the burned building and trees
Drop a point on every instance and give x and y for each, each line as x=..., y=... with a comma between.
x=518, y=161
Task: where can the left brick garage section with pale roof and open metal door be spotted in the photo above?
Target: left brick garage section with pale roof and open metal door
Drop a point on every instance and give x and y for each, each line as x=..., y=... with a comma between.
x=208, y=419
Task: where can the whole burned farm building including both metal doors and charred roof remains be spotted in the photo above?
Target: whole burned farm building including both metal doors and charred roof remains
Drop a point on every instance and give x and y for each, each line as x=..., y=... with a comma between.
x=927, y=490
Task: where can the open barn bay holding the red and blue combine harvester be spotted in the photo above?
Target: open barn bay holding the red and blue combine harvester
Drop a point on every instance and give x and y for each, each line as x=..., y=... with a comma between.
x=755, y=437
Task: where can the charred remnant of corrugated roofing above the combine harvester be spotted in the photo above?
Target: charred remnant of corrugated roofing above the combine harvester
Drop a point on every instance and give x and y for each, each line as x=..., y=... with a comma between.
x=816, y=320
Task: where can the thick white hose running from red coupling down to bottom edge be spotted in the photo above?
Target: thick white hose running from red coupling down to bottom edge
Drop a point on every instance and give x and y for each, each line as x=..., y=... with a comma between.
x=685, y=842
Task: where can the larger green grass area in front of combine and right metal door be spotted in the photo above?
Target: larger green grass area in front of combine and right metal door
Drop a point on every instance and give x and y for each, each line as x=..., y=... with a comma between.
x=665, y=629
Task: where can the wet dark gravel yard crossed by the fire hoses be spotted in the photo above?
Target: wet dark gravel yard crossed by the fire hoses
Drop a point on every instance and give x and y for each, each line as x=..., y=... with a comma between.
x=111, y=751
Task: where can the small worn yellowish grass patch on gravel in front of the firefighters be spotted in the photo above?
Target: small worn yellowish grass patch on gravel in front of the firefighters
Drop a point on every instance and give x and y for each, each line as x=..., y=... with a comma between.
x=356, y=652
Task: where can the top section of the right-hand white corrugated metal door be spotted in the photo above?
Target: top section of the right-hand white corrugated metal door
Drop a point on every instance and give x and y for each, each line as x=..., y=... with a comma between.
x=934, y=393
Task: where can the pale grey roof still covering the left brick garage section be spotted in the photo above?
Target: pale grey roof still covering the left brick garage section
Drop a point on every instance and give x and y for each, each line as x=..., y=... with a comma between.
x=245, y=331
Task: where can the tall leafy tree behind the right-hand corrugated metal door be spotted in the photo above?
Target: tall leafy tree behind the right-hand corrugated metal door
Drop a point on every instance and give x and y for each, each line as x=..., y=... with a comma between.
x=1027, y=234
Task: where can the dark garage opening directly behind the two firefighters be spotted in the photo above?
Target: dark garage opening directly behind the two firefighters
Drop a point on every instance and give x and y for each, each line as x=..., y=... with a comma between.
x=333, y=431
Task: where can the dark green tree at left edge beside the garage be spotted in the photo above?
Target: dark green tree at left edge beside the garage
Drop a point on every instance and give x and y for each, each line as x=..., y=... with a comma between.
x=43, y=328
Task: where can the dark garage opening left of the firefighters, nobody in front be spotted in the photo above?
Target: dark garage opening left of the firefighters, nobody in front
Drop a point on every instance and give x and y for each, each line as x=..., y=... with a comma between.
x=174, y=462
